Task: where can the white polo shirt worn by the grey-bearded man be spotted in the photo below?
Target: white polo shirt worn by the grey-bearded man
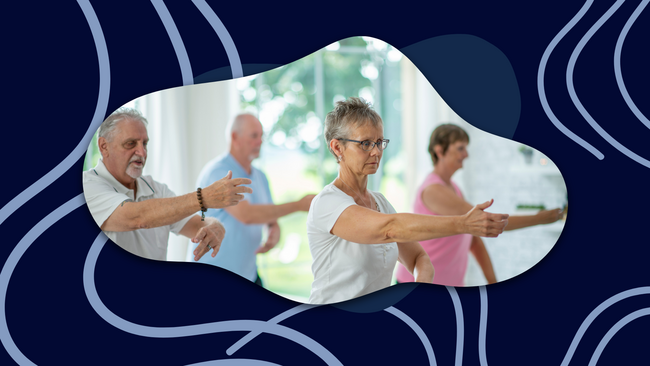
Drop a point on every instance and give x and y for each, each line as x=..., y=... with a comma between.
x=104, y=194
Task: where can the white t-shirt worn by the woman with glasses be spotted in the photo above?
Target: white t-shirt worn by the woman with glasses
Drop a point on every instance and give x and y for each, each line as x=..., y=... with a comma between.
x=342, y=269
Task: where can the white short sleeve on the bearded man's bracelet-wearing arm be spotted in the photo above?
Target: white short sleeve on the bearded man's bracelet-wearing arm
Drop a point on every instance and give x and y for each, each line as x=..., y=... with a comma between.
x=101, y=198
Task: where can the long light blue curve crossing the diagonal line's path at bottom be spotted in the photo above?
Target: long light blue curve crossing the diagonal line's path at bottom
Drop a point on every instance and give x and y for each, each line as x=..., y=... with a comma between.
x=188, y=330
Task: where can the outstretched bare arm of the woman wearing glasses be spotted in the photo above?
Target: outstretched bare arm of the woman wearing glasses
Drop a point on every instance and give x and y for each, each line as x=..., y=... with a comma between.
x=364, y=226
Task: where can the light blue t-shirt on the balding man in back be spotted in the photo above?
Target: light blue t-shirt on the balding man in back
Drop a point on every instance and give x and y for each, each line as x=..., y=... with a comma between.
x=237, y=252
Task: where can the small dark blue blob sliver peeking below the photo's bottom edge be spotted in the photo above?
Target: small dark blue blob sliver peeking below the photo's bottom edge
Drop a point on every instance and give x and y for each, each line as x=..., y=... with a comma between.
x=379, y=300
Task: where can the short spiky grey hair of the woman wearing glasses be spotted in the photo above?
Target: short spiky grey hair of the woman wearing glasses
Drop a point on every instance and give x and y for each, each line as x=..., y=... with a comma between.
x=347, y=115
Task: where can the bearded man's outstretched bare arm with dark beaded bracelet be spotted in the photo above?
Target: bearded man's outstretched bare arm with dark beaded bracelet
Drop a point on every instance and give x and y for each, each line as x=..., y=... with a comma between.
x=165, y=211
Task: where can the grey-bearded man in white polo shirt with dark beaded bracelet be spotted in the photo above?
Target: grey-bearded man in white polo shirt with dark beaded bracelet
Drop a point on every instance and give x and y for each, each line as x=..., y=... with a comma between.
x=135, y=211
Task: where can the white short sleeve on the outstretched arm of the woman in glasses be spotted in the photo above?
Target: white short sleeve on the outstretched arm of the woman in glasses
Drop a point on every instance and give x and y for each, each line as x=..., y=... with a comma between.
x=326, y=208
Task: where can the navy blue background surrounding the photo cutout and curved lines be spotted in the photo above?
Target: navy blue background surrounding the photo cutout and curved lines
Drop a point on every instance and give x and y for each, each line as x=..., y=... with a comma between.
x=51, y=80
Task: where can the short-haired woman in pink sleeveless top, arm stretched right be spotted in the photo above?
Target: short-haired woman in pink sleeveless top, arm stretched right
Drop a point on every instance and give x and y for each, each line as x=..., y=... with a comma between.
x=439, y=195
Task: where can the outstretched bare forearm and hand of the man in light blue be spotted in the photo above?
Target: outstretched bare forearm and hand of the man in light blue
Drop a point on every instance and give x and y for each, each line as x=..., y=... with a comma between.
x=248, y=213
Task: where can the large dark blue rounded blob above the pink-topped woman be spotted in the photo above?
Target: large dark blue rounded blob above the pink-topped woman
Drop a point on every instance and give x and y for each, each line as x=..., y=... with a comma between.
x=475, y=79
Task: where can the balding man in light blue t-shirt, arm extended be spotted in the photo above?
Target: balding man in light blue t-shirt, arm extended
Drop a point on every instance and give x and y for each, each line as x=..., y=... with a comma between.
x=244, y=222
